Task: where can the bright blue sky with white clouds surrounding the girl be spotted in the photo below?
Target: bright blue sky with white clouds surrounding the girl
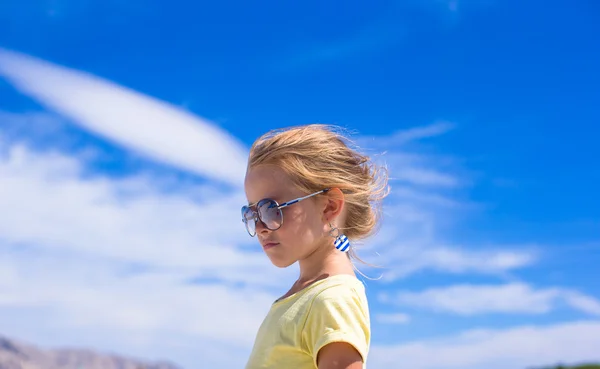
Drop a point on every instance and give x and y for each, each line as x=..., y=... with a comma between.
x=486, y=110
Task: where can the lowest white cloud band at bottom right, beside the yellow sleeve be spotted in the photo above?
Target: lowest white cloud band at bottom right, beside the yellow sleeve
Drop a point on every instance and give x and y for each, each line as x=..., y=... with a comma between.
x=519, y=347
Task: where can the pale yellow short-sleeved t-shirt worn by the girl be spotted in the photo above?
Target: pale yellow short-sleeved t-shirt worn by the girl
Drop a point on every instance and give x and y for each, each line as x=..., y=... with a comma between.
x=334, y=309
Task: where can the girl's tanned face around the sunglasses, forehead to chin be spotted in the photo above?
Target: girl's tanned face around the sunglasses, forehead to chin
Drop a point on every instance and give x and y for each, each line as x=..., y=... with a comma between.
x=304, y=227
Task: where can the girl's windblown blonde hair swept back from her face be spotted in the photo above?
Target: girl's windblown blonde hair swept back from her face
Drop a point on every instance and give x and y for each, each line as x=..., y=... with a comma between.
x=318, y=156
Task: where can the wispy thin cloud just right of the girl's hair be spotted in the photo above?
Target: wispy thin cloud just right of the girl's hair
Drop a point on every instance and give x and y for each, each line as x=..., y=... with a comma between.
x=420, y=205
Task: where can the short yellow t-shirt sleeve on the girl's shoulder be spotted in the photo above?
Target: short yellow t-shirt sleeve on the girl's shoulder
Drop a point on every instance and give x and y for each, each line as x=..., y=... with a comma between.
x=337, y=314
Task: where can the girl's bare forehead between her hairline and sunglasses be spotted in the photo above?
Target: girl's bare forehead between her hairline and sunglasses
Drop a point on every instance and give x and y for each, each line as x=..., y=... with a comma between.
x=269, y=181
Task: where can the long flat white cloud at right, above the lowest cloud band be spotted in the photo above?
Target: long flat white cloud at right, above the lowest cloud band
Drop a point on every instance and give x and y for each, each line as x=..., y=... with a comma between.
x=466, y=299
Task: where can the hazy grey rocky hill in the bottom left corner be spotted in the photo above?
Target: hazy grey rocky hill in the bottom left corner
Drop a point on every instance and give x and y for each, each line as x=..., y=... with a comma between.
x=18, y=355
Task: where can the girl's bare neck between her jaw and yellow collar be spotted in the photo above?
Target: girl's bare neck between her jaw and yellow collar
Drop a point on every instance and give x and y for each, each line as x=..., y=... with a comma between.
x=324, y=260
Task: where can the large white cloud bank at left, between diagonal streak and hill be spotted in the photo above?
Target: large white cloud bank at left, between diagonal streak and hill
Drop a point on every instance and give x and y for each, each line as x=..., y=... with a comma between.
x=113, y=259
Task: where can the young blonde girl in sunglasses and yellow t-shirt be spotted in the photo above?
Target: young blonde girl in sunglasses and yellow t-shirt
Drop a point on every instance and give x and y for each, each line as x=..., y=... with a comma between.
x=310, y=196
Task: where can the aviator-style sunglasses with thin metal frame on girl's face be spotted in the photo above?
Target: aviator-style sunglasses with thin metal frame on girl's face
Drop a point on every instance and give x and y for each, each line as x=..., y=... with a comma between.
x=268, y=212
